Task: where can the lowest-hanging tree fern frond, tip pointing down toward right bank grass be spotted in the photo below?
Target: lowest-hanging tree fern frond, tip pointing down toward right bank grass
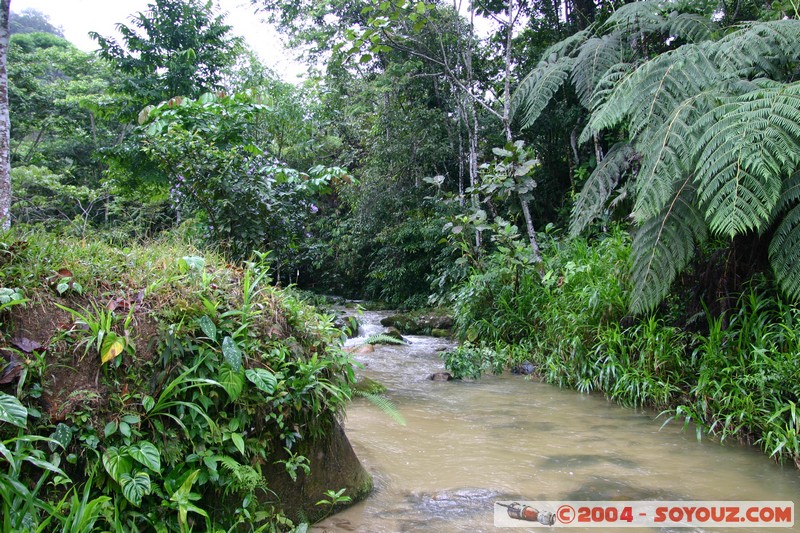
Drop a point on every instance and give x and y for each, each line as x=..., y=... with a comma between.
x=663, y=245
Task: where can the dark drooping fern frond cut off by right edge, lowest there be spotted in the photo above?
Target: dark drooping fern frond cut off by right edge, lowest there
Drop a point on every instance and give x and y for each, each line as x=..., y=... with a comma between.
x=784, y=248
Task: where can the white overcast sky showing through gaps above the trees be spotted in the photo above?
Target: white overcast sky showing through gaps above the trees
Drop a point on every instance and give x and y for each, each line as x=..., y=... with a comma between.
x=78, y=17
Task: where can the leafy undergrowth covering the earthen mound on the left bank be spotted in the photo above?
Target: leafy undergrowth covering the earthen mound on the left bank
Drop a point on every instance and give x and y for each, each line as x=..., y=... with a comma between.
x=149, y=386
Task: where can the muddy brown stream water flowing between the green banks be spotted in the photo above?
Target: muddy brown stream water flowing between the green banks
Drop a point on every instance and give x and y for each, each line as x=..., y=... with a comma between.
x=466, y=445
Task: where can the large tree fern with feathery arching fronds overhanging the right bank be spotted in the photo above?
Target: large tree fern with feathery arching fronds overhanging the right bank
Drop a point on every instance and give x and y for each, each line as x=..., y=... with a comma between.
x=717, y=124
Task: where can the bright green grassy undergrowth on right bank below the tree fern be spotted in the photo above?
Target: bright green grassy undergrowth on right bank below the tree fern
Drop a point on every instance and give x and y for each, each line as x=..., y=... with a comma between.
x=567, y=316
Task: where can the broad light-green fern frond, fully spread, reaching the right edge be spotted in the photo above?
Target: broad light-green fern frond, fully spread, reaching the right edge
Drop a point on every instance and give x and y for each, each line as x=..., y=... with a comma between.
x=748, y=146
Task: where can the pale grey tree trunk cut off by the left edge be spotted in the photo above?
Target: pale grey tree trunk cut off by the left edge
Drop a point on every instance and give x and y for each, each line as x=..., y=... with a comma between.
x=5, y=125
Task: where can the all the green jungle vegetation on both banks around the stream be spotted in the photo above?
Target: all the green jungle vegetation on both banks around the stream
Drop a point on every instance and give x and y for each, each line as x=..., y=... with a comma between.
x=627, y=223
